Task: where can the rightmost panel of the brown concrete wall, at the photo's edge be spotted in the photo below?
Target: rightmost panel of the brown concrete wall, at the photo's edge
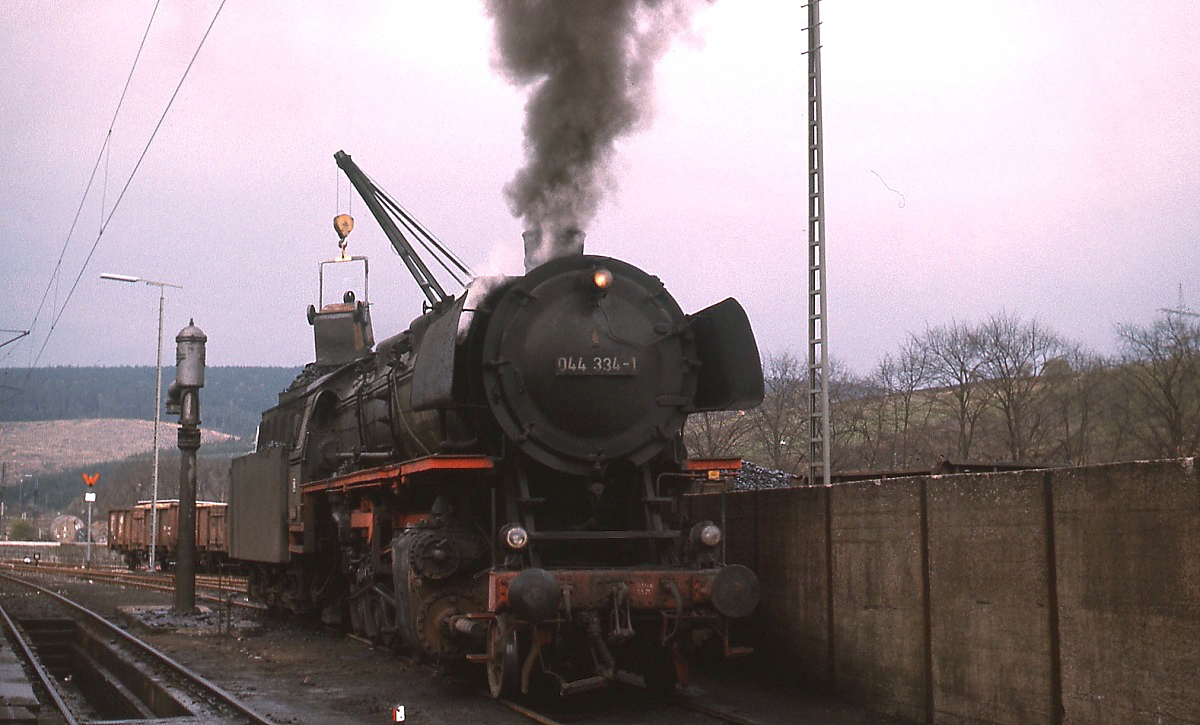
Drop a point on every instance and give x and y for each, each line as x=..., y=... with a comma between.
x=1129, y=553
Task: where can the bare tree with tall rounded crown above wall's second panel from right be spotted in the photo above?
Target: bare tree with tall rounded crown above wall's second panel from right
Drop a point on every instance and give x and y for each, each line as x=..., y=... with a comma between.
x=1013, y=356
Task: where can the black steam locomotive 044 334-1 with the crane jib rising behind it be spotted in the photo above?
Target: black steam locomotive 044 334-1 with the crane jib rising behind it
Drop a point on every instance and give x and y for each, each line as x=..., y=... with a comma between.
x=502, y=482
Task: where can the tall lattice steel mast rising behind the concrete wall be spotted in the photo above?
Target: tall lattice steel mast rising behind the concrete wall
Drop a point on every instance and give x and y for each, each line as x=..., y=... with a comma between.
x=819, y=355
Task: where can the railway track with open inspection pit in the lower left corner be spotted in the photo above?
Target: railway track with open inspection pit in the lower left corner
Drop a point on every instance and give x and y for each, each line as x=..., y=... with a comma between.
x=91, y=670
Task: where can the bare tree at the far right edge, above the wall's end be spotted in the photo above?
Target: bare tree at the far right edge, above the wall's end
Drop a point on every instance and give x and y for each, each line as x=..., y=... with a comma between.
x=1161, y=379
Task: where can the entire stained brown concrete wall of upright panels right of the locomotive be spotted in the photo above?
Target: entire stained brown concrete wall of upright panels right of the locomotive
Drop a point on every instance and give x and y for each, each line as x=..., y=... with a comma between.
x=1028, y=597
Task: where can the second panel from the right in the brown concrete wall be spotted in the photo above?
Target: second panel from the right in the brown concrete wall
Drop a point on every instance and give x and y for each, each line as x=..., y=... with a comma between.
x=989, y=600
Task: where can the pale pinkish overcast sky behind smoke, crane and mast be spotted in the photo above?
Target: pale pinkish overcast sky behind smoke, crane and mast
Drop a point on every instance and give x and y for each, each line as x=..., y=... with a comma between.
x=1045, y=159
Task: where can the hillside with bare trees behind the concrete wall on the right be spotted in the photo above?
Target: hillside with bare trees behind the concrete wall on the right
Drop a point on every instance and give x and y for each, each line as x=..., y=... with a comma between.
x=1005, y=390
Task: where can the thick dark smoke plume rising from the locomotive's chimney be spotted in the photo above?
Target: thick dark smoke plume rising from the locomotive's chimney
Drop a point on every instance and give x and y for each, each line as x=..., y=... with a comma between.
x=592, y=68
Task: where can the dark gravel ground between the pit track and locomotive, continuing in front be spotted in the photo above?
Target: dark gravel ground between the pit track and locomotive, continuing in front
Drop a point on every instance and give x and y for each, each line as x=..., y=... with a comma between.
x=298, y=675
